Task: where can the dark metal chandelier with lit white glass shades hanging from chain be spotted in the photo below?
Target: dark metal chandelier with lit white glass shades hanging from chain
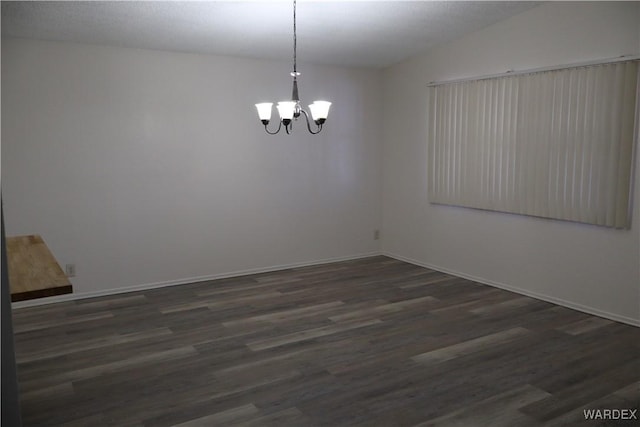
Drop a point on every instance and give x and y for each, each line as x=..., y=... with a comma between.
x=291, y=110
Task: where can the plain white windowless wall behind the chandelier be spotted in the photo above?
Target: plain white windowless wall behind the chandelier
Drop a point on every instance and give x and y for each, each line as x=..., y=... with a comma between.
x=145, y=167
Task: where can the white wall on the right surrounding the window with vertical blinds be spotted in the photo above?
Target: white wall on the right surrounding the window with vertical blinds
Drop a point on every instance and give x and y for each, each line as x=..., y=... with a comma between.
x=587, y=267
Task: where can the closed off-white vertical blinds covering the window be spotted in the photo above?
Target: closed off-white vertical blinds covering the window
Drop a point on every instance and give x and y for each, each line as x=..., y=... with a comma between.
x=555, y=144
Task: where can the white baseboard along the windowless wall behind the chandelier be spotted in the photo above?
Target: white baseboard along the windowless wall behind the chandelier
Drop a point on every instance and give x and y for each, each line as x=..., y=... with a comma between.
x=184, y=281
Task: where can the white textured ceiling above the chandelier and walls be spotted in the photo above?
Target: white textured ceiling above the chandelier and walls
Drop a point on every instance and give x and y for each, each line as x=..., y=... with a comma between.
x=349, y=33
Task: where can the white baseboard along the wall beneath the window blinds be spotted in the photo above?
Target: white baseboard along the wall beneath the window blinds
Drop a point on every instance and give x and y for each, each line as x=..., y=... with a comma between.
x=569, y=304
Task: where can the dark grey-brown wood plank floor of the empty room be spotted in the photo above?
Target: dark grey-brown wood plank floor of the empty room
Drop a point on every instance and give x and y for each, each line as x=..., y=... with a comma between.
x=374, y=342
